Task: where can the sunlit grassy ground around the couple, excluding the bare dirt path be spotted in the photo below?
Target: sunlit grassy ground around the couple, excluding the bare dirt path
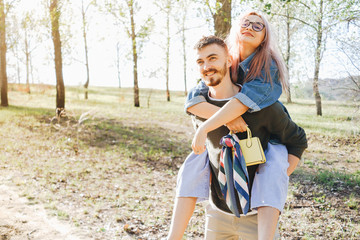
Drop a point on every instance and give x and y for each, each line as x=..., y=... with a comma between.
x=114, y=174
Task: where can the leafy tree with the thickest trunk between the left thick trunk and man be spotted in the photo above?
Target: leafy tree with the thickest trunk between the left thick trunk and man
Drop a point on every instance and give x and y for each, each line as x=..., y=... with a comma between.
x=125, y=14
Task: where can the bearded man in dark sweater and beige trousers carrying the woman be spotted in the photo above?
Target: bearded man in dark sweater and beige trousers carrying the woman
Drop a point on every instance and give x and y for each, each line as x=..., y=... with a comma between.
x=214, y=62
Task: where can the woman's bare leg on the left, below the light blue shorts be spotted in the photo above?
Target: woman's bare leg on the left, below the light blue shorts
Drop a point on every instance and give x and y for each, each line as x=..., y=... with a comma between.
x=183, y=210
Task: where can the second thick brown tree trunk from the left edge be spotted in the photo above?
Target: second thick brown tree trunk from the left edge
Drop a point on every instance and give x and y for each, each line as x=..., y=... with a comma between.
x=60, y=89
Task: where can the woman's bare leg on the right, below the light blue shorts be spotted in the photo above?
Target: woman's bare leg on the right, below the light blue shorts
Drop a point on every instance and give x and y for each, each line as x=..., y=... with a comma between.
x=267, y=222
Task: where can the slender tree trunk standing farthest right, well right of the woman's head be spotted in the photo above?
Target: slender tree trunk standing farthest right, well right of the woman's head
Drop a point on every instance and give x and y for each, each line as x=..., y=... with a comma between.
x=317, y=63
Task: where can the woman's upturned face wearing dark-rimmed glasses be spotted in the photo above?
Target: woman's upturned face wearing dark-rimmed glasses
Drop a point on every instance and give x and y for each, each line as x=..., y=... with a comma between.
x=249, y=36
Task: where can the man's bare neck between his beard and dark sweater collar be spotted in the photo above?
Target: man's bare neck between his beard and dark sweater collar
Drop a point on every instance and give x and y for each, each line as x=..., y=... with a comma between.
x=226, y=89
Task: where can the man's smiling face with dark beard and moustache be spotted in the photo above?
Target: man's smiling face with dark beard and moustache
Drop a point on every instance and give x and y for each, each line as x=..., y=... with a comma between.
x=213, y=64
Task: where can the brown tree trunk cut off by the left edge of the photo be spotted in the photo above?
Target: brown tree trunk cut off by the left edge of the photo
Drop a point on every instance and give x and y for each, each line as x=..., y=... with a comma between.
x=3, y=74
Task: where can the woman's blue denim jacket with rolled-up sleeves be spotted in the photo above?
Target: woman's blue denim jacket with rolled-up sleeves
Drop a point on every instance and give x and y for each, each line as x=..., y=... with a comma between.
x=255, y=94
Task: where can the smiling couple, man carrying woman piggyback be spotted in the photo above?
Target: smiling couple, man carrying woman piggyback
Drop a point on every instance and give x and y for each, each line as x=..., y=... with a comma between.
x=241, y=83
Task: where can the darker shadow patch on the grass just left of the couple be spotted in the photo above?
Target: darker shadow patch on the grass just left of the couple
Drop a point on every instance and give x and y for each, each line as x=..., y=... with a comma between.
x=151, y=144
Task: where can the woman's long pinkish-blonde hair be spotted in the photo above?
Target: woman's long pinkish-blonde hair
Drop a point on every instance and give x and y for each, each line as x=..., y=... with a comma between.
x=265, y=53
